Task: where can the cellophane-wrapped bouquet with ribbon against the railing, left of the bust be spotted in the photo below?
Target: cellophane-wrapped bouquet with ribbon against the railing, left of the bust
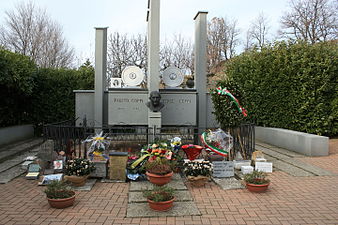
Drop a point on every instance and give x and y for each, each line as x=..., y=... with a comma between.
x=98, y=147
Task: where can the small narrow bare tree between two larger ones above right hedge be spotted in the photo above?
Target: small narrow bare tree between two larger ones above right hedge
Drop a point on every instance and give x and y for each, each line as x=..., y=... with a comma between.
x=258, y=31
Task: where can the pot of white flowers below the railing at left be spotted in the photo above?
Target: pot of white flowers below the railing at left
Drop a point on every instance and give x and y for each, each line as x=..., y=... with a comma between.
x=78, y=170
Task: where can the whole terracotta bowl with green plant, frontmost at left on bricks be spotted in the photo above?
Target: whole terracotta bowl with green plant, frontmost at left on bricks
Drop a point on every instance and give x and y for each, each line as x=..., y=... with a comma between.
x=59, y=194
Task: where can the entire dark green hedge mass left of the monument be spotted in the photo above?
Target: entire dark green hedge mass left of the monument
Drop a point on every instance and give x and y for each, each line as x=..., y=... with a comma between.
x=33, y=95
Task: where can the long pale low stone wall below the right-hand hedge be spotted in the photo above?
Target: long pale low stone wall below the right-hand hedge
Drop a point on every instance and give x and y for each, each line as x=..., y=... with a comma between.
x=304, y=143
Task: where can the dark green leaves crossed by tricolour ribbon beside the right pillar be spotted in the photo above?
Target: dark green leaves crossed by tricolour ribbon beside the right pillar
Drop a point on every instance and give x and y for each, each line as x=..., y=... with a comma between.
x=226, y=111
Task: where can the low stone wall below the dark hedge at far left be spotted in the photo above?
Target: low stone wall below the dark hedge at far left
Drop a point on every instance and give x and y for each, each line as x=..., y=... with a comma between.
x=16, y=133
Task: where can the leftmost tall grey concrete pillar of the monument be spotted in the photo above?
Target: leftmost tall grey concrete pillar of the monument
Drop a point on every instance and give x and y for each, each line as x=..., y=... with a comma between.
x=100, y=74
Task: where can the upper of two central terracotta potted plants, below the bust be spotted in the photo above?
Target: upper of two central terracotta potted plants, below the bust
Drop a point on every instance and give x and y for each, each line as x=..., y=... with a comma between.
x=159, y=171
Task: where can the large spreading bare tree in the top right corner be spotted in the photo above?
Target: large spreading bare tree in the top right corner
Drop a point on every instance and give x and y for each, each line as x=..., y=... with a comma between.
x=311, y=20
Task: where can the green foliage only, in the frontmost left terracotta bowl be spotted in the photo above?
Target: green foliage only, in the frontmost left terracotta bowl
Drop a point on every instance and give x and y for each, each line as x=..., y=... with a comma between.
x=58, y=190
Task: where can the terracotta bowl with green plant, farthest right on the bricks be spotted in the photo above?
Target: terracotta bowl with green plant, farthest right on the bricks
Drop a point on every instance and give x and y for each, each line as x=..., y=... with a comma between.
x=256, y=181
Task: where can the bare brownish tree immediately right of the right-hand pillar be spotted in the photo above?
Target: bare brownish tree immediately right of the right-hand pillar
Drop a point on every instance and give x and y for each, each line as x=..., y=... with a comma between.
x=222, y=40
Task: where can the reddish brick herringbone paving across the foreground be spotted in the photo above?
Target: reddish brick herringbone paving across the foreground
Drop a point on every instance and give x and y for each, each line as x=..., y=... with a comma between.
x=289, y=200
